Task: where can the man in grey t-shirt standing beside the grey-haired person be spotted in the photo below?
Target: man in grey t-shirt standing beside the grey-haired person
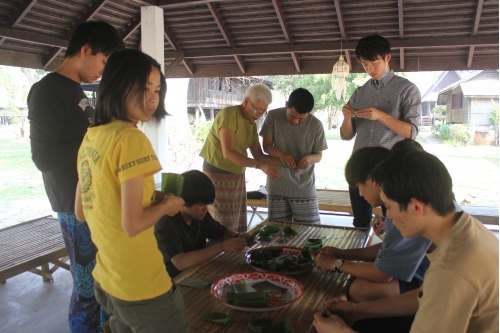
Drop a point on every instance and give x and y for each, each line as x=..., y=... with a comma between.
x=297, y=138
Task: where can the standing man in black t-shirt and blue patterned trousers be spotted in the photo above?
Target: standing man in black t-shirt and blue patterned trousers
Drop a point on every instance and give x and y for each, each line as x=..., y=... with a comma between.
x=59, y=114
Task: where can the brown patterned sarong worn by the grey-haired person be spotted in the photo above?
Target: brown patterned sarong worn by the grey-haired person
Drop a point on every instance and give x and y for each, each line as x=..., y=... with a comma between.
x=230, y=204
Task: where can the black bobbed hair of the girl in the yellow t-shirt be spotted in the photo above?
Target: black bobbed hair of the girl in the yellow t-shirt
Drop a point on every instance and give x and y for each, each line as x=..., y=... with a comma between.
x=125, y=73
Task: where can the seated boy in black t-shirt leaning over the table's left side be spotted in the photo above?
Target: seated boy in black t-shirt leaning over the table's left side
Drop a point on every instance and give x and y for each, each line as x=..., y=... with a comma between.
x=182, y=238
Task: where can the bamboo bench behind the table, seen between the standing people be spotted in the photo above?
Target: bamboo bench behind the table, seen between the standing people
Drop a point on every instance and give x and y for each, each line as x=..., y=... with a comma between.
x=329, y=200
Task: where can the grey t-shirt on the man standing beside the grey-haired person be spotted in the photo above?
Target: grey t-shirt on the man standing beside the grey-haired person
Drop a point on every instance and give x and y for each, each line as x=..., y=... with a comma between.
x=306, y=138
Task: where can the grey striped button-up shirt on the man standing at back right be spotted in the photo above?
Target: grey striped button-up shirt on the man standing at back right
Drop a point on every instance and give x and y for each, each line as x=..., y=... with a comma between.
x=395, y=96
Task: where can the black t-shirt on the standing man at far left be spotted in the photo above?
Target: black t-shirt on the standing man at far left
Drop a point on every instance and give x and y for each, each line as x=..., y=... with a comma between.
x=59, y=114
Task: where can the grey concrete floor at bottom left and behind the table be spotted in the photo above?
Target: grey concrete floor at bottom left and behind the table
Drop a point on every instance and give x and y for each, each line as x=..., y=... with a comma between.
x=29, y=305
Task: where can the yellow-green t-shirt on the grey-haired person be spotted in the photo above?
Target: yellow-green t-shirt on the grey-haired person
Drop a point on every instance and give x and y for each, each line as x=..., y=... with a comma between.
x=245, y=135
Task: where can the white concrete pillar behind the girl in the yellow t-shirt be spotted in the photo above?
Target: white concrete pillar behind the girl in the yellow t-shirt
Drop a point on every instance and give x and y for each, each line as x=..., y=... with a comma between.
x=152, y=39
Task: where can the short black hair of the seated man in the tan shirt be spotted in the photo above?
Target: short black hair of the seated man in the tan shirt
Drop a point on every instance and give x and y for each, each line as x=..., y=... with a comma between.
x=419, y=175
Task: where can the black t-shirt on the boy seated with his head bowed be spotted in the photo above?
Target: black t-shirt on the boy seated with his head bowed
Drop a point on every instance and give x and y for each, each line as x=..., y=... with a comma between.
x=175, y=236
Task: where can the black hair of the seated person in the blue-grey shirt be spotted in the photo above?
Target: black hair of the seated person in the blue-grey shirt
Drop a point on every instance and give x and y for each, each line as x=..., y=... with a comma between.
x=361, y=163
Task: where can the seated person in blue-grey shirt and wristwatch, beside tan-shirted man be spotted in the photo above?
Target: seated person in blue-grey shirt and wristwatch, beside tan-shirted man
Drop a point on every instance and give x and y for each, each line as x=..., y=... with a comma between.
x=385, y=269
